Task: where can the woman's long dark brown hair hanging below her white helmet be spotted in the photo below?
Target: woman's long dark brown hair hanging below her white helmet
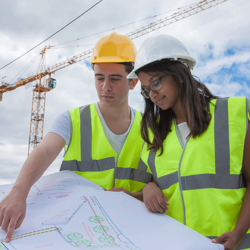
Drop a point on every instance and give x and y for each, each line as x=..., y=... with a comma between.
x=194, y=96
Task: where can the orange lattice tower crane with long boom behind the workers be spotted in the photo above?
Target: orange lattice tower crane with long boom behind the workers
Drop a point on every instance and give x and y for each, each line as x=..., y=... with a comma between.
x=44, y=82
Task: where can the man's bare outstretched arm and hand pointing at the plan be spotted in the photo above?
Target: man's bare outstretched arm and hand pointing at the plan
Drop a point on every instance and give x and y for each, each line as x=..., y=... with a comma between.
x=13, y=206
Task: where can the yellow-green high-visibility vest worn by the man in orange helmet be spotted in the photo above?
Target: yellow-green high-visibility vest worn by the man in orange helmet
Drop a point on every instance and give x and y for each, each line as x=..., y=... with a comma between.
x=90, y=155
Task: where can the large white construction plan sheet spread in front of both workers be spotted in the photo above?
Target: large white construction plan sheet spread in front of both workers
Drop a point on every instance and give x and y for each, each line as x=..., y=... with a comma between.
x=66, y=211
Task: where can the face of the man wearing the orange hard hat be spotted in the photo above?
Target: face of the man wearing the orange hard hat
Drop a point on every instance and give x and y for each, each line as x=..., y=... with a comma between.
x=111, y=84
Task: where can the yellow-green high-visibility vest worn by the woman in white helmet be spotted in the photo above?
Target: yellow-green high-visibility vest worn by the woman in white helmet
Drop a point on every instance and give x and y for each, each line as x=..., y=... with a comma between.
x=202, y=180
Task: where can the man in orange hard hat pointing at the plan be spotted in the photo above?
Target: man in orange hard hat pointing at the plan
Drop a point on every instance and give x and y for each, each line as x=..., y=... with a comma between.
x=103, y=142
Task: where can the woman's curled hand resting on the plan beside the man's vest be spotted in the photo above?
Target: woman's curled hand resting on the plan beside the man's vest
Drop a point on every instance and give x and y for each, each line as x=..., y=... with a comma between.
x=154, y=198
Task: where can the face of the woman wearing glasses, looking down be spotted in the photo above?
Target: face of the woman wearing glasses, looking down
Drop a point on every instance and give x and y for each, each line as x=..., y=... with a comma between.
x=165, y=98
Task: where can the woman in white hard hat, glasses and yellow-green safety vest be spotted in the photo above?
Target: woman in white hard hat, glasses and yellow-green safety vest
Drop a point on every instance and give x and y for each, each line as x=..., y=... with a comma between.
x=197, y=146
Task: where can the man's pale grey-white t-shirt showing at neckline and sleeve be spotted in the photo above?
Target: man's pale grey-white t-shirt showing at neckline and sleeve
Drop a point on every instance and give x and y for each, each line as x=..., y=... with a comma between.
x=62, y=127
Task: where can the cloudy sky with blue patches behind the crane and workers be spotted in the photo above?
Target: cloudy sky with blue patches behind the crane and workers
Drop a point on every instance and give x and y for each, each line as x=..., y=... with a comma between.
x=218, y=38
